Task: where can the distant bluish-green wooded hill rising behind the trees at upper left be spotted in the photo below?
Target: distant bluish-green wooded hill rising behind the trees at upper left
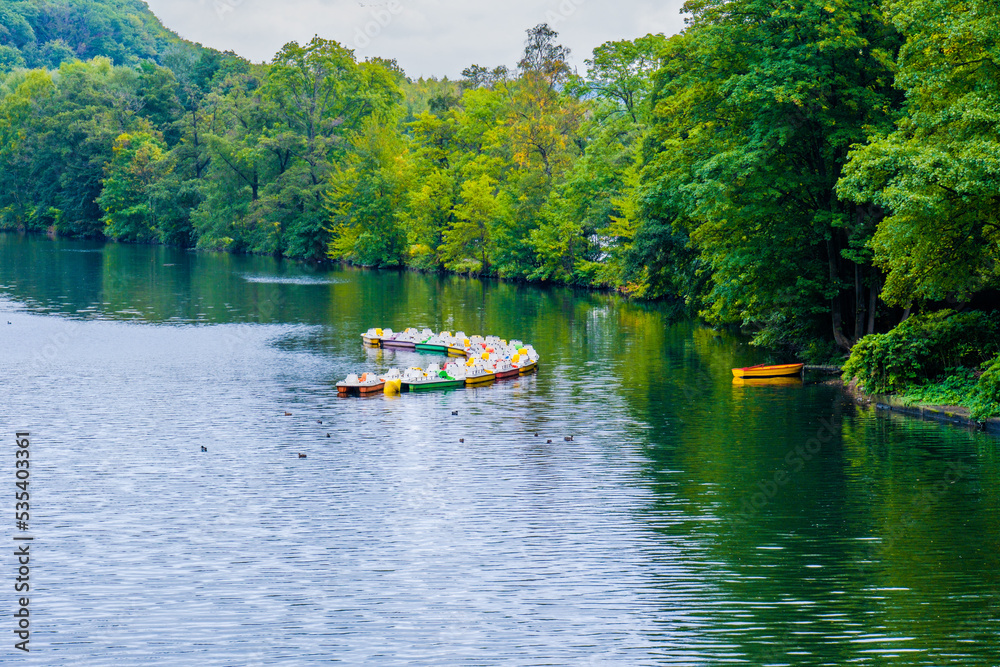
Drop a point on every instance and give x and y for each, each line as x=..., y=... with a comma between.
x=45, y=33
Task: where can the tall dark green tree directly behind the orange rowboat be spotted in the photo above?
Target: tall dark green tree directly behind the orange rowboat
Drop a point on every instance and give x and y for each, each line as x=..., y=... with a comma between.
x=758, y=104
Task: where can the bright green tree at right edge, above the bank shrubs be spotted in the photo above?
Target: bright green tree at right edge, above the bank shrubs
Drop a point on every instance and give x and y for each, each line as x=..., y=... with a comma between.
x=935, y=175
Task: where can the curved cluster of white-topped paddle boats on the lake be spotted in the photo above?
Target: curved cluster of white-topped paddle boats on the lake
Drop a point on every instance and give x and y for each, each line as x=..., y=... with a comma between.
x=483, y=360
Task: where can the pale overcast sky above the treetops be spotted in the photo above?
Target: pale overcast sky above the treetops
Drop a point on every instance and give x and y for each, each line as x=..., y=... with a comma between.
x=427, y=37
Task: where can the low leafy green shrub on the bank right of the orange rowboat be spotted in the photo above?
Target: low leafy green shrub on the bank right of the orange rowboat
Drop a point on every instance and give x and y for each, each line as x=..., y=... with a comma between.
x=922, y=349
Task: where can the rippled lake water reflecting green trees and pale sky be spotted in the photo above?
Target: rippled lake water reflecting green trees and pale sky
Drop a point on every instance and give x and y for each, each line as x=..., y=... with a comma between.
x=690, y=521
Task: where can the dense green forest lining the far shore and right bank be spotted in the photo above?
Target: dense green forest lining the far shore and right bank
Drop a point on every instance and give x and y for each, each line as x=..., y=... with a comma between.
x=814, y=172
